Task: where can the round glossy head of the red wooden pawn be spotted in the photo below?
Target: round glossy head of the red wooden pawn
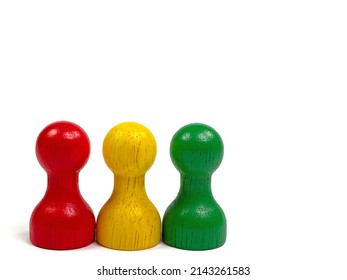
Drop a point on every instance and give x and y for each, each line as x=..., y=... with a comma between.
x=62, y=147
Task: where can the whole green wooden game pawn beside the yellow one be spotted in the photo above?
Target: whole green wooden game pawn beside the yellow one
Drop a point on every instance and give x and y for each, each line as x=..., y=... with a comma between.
x=194, y=220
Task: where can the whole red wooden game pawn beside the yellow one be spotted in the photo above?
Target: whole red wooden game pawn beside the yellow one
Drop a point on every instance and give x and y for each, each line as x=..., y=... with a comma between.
x=62, y=220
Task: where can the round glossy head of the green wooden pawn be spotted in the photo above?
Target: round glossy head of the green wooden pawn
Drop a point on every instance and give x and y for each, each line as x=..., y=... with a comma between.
x=196, y=149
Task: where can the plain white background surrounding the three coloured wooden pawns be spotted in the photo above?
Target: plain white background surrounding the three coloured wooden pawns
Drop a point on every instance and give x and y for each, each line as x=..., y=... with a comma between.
x=269, y=76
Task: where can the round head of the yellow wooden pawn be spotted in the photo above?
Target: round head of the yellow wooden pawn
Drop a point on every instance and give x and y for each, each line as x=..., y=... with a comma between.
x=129, y=149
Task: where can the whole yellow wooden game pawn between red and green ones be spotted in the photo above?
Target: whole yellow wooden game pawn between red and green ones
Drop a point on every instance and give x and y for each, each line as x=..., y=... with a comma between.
x=129, y=220
